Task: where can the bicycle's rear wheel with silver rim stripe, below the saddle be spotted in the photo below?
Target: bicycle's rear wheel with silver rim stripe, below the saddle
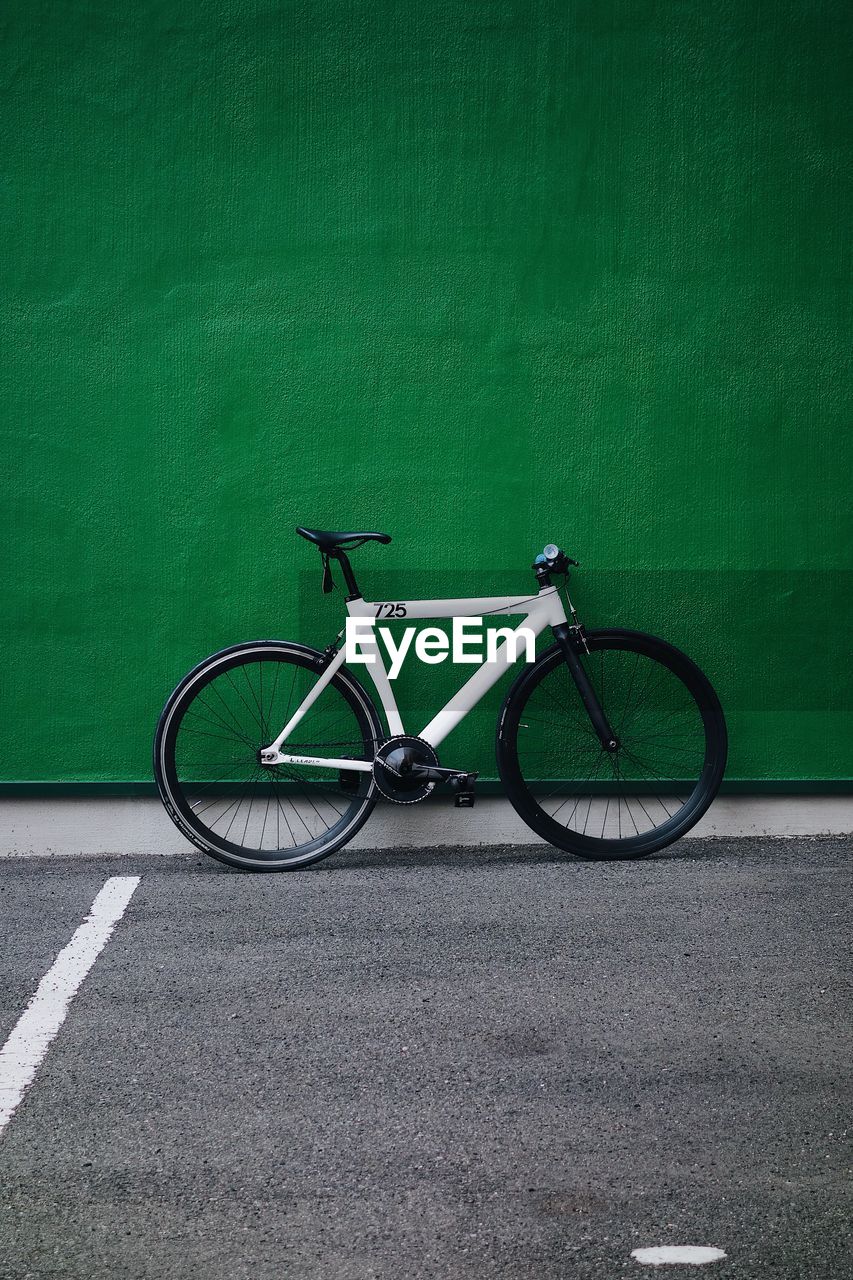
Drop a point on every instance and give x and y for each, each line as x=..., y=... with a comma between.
x=207, y=757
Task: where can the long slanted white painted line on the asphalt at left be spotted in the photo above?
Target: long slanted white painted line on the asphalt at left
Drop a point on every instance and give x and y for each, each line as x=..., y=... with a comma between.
x=30, y=1040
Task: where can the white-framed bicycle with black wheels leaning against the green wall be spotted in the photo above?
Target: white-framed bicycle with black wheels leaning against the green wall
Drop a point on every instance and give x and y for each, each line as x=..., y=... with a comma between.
x=610, y=746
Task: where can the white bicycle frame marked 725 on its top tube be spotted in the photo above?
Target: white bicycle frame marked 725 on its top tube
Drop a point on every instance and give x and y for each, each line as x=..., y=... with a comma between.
x=541, y=611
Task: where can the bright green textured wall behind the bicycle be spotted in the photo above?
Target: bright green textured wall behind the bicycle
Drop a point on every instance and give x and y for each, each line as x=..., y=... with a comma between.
x=481, y=275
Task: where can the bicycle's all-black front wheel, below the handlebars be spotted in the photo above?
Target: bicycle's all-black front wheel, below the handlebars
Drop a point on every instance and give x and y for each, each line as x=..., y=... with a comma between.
x=633, y=802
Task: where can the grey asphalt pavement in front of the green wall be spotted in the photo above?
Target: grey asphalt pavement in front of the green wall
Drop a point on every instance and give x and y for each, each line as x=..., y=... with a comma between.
x=492, y=1064
